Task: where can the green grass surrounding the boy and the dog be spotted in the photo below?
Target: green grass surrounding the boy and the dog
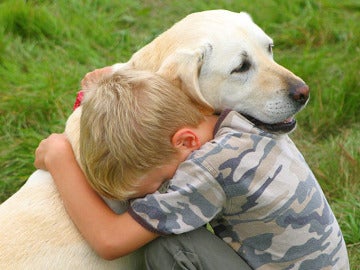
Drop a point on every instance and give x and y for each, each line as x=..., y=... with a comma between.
x=47, y=46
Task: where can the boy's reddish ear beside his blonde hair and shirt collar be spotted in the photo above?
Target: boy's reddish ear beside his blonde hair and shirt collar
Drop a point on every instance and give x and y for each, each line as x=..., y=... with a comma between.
x=185, y=138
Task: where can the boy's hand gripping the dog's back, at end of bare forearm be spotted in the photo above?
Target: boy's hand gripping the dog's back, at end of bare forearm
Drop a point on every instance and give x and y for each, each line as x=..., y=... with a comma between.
x=52, y=149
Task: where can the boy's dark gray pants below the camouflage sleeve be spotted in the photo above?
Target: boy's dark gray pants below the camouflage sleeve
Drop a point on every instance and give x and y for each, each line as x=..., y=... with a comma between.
x=196, y=250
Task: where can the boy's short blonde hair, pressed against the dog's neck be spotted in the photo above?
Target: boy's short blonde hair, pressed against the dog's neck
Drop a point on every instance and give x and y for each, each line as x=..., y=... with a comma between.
x=128, y=120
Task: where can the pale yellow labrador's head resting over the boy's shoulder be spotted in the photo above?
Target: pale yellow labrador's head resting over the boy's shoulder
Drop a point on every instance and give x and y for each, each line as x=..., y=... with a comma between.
x=223, y=60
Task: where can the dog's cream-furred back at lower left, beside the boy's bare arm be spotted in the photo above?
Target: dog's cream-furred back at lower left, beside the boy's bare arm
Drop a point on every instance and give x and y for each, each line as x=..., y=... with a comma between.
x=37, y=233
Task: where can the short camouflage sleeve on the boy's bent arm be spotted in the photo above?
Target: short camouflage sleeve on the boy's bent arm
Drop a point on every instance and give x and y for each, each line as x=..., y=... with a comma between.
x=193, y=198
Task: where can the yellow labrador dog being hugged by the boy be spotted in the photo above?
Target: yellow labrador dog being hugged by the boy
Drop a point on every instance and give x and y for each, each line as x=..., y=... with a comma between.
x=221, y=59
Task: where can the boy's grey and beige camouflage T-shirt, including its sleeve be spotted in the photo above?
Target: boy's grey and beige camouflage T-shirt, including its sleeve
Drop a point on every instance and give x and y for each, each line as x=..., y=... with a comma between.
x=259, y=195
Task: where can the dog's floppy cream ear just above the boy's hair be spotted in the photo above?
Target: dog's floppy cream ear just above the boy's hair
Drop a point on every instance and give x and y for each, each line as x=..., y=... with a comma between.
x=182, y=68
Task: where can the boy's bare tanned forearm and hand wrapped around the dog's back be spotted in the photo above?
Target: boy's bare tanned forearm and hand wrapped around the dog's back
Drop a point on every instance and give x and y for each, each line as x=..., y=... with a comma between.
x=109, y=234
